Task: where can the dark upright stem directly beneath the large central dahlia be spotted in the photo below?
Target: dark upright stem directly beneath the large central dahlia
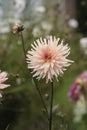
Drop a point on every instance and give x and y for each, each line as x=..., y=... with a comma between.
x=51, y=106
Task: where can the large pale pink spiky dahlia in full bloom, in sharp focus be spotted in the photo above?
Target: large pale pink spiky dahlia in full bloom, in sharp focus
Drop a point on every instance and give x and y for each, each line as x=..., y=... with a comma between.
x=48, y=58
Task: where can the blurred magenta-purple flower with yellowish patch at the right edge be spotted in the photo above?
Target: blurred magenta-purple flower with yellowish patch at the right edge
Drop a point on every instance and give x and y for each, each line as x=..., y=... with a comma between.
x=80, y=83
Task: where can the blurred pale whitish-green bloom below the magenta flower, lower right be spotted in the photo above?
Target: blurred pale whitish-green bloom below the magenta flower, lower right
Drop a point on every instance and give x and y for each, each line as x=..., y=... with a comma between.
x=80, y=109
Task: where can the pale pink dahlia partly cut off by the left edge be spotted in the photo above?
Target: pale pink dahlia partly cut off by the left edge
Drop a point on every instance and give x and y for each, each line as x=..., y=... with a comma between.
x=3, y=78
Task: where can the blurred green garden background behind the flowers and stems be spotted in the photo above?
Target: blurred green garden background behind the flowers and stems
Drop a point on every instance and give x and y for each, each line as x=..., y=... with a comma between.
x=21, y=107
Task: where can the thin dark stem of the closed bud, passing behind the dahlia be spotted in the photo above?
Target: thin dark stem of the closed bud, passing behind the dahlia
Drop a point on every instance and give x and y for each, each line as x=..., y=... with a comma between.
x=38, y=90
